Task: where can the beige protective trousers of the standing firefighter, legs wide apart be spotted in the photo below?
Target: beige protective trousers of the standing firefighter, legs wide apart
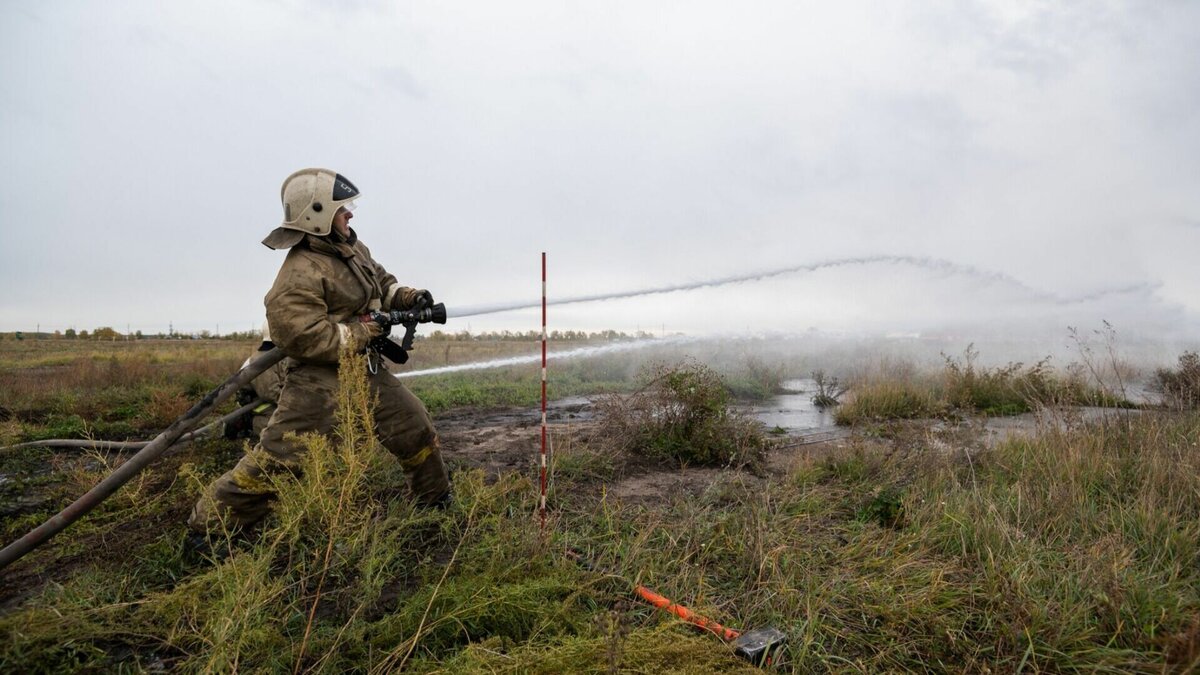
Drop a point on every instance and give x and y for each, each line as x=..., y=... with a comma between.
x=243, y=495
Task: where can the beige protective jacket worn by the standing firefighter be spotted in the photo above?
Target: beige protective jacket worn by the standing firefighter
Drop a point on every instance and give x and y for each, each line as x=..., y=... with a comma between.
x=325, y=283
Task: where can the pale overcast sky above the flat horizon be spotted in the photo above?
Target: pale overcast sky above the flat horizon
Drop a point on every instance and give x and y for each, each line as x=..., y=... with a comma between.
x=1043, y=157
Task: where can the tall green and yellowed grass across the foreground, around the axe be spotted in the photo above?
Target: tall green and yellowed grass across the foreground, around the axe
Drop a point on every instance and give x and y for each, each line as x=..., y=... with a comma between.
x=1073, y=551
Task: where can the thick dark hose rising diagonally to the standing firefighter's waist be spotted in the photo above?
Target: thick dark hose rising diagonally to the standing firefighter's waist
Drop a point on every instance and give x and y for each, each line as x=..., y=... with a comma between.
x=145, y=457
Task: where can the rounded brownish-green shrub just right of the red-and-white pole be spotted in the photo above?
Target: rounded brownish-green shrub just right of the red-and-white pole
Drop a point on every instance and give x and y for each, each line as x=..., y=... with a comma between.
x=683, y=414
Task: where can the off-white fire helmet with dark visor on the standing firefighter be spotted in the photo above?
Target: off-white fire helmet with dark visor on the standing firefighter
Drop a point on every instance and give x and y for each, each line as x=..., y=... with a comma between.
x=310, y=199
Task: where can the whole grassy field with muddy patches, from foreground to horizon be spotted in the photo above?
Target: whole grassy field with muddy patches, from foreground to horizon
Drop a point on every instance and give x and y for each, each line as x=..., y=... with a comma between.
x=914, y=542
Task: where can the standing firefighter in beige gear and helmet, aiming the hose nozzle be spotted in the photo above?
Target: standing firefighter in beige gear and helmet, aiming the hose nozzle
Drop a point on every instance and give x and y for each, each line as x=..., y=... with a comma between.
x=328, y=282
